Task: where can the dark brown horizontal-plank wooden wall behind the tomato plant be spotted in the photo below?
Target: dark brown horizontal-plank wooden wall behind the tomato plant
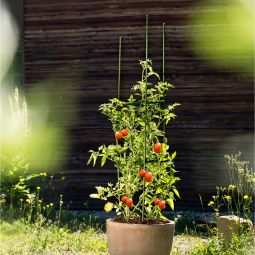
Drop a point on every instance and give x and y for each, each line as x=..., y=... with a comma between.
x=77, y=40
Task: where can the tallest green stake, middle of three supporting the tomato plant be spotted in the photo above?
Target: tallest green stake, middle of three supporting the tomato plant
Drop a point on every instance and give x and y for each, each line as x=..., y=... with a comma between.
x=145, y=121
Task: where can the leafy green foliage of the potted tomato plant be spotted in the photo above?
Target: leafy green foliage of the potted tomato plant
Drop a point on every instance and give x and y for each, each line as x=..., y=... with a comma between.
x=128, y=154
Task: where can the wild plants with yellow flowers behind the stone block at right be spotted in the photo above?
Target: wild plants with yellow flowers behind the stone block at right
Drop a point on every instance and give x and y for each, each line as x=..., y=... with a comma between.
x=238, y=197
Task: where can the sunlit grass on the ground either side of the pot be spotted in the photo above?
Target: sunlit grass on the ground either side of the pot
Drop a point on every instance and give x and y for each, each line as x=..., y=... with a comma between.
x=87, y=237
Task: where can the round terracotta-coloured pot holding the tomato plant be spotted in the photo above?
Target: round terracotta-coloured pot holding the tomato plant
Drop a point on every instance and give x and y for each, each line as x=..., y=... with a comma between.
x=139, y=239
